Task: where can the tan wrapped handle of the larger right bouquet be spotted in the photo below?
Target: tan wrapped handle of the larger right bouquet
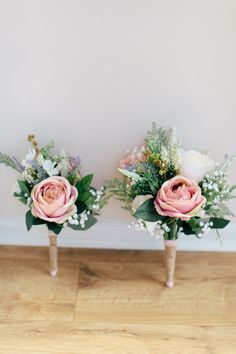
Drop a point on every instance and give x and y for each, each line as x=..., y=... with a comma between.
x=170, y=256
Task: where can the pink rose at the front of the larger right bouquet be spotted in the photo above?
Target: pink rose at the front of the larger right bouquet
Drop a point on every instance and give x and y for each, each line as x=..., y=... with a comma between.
x=179, y=198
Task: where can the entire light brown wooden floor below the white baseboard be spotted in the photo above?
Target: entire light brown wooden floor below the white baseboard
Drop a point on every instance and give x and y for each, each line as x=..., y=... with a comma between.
x=115, y=302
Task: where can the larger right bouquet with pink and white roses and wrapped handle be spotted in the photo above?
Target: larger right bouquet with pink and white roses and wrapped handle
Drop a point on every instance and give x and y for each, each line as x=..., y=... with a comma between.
x=172, y=192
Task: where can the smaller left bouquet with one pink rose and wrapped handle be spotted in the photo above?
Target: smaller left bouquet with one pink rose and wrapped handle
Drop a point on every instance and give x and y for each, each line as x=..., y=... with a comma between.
x=55, y=193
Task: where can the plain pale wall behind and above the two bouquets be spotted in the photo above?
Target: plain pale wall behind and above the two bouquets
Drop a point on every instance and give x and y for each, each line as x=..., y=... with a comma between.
x=93, y=75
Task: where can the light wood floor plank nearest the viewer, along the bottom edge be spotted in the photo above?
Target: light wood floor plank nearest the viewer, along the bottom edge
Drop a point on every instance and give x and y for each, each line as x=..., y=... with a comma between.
x=99, y=338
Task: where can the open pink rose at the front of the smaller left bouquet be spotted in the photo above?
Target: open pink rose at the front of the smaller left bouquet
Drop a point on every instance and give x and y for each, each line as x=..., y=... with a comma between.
x=54, y=199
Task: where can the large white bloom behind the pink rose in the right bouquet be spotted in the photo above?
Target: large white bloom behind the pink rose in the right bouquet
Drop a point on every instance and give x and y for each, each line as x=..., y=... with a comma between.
x=195, y=165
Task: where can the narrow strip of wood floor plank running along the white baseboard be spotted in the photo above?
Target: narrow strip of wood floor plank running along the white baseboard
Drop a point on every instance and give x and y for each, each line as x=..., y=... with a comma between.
x=76, y=255
